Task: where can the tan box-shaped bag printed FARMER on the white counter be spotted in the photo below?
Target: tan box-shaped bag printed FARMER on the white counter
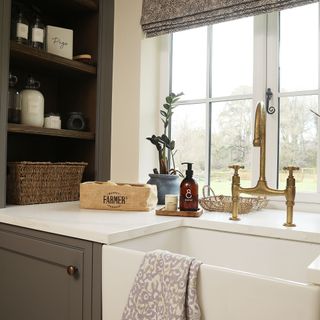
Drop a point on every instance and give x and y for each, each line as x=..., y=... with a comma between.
x=112, y=196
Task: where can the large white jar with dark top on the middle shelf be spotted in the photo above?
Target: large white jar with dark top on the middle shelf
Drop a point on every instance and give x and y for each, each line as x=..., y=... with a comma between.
x=32, y=104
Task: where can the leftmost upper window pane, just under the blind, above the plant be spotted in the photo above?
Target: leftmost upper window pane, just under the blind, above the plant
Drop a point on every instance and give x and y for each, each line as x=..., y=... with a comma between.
x=189, y=63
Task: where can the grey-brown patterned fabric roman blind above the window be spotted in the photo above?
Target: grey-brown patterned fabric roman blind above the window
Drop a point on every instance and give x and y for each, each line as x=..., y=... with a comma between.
x=165, y=16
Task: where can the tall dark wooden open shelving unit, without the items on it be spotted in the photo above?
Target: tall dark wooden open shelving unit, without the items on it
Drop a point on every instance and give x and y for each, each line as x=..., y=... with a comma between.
x=67, y=86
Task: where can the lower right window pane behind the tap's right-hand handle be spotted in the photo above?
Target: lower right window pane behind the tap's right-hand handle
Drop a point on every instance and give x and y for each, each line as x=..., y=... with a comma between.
x=299, y=141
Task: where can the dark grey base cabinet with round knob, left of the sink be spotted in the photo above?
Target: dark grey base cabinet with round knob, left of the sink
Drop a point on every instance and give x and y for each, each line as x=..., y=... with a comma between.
x=45, y=276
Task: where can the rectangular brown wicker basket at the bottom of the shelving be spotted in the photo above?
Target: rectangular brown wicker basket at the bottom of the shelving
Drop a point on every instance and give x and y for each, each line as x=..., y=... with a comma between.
x=43, y=182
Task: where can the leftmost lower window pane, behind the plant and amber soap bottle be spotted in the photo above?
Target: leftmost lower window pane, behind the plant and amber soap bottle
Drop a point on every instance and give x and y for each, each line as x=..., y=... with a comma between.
x=188, y=131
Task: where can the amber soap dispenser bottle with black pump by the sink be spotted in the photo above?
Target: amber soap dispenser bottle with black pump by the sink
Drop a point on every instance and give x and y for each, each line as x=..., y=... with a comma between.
x=188, y=191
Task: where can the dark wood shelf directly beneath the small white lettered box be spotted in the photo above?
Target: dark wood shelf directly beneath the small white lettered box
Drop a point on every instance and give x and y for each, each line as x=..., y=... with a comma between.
x=39, y=59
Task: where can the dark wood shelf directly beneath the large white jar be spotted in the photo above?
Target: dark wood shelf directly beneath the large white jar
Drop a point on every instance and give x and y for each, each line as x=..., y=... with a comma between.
x=63, y=133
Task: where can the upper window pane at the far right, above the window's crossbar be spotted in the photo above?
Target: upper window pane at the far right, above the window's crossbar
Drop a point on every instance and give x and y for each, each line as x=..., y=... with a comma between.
x=299, y=53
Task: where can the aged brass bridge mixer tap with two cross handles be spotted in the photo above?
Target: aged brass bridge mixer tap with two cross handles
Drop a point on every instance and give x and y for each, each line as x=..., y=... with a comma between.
x=262, y=187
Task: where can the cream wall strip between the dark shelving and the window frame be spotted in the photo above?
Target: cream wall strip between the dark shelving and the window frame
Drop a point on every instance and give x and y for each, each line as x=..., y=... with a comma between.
x=135, y=96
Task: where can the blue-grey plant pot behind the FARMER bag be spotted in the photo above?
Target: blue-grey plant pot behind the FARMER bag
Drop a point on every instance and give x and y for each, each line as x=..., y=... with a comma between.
x=166, y=184
